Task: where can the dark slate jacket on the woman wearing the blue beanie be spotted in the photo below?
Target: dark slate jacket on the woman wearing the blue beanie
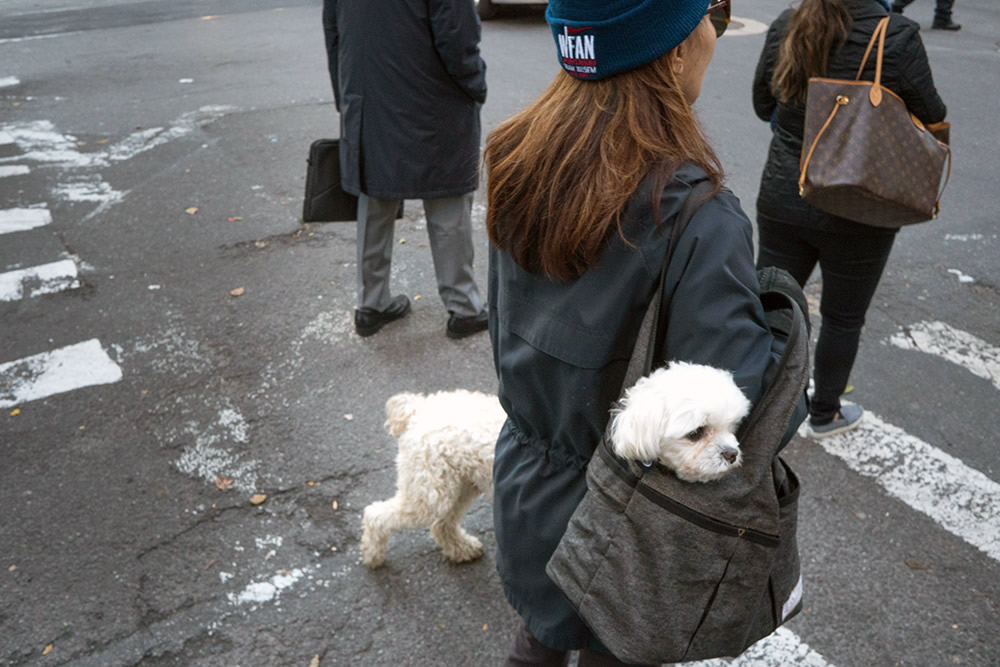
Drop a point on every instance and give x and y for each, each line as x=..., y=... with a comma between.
x=561, y=350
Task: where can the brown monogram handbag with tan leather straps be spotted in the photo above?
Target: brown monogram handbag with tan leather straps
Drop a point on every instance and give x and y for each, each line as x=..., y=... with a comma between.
x=865, y=157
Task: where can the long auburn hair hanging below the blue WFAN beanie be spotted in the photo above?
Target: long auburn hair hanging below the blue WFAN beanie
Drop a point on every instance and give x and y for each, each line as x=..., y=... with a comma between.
x=561, y=171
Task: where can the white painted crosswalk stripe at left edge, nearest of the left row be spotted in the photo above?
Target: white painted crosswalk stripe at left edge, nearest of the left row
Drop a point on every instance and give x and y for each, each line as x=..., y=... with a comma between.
x=58, y=371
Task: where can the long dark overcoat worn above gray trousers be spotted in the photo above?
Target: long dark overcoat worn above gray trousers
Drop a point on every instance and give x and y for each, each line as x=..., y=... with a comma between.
x=408, y=82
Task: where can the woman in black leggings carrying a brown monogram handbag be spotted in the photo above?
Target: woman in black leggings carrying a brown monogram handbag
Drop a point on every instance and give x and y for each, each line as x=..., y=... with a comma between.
x=828, y=38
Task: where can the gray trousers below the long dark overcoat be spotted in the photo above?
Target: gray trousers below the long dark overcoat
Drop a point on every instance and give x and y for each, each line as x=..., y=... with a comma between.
x=449, y=226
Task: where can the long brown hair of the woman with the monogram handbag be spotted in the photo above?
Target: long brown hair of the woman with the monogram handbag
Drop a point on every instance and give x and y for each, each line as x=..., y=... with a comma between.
x=816, y=30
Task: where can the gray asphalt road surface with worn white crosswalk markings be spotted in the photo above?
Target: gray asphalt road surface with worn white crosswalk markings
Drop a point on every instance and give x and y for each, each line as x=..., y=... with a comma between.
x=173, y=341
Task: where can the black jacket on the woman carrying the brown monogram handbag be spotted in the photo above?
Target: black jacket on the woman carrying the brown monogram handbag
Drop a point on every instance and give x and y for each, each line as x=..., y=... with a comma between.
x=905, y=71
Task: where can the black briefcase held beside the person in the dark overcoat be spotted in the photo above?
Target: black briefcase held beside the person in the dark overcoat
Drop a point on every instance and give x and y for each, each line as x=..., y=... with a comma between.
x=325, y=200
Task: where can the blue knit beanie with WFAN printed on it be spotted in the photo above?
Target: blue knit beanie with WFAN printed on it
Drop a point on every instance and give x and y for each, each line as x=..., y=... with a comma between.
x=598, y=38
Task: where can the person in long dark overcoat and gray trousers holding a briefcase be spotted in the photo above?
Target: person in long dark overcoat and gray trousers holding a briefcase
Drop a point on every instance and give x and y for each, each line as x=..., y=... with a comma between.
x=409, y=82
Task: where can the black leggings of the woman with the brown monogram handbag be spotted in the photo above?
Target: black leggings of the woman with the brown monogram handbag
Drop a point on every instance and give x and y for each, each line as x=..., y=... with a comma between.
x=851, y=266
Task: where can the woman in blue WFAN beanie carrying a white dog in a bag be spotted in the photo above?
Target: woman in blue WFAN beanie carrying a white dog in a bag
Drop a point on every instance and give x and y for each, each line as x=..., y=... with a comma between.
x=583, y=188
